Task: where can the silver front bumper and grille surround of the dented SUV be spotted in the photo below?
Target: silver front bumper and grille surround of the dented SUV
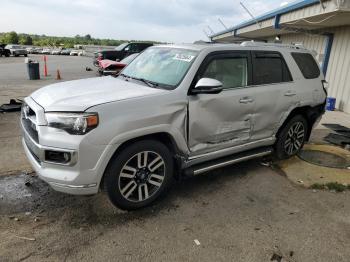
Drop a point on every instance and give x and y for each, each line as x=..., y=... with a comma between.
x=82, y=174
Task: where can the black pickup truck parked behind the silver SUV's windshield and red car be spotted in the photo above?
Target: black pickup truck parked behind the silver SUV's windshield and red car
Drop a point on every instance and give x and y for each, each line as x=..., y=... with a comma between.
x=120, y=52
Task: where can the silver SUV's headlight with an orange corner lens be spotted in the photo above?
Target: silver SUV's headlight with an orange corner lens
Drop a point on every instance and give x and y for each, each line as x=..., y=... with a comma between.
x=73, y=123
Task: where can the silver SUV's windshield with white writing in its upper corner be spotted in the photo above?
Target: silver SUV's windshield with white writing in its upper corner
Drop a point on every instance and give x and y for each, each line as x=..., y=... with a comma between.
x=161, y=65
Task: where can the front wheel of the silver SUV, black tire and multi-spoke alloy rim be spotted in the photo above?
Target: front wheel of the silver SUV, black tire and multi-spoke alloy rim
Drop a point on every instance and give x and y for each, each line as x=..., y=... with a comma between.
x=139, y=174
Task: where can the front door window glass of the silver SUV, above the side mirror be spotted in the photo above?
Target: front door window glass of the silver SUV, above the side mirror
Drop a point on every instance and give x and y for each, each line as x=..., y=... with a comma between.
x=232, y=72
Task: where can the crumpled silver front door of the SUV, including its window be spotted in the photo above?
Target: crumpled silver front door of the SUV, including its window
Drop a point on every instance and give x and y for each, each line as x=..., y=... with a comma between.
x=222, y=120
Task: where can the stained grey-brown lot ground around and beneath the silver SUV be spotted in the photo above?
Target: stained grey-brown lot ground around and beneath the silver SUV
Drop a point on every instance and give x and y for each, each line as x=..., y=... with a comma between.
x=246, y=212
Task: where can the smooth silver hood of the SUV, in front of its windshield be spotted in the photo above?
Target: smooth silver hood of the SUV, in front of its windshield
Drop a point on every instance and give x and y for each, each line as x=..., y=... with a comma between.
x=79, y=95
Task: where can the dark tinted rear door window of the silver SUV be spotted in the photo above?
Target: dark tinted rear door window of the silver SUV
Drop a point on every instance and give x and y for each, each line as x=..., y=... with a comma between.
x=269, y=68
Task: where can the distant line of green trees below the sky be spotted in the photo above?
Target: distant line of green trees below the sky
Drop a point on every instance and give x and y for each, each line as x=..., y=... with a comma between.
x=68, y=42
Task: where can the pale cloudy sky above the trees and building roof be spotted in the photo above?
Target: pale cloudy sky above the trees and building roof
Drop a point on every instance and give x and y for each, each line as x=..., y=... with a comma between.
x=176, y=21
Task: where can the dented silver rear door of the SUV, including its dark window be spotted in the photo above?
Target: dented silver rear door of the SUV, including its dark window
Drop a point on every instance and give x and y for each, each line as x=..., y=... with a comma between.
x=274, y=92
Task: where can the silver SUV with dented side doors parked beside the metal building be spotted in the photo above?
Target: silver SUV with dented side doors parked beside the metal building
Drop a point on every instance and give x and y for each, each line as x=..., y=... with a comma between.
x=173, y=110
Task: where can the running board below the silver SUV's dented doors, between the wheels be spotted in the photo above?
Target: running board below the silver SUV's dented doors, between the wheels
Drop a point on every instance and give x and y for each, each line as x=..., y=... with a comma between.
x=228, y=160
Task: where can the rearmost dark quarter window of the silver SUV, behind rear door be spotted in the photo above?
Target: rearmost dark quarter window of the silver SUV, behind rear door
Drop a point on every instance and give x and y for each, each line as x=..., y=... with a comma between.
x=307, y=65
